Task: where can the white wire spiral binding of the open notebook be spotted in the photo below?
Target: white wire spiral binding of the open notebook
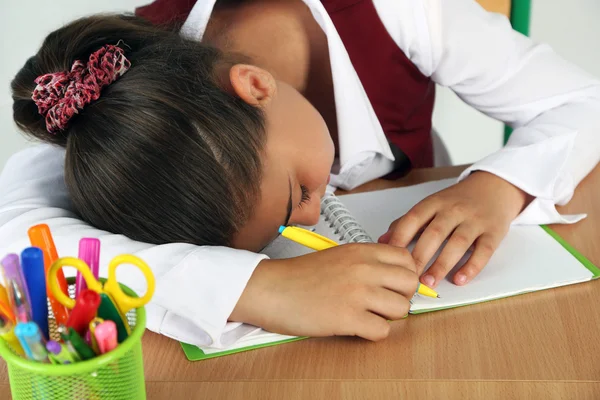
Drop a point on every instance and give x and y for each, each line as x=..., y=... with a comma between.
x=339, y=217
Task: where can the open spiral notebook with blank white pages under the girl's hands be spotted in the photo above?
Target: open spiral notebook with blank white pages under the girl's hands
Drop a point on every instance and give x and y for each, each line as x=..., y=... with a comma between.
x=529, y=258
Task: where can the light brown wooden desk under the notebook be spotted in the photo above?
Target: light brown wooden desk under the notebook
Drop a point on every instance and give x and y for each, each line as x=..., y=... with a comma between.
x=542, y=344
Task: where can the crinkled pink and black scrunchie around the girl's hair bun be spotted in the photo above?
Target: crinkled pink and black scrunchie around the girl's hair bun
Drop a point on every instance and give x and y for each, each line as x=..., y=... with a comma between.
x=60, y=95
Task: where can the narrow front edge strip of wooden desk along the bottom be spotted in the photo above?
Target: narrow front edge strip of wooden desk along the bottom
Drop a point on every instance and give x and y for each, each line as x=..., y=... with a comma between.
x=360, y=390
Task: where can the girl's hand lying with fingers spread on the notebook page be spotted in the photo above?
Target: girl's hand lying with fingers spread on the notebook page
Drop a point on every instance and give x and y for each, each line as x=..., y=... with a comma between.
x=477, y=211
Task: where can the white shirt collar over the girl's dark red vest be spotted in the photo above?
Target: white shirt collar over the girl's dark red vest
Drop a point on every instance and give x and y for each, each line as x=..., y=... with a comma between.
x=359, y=132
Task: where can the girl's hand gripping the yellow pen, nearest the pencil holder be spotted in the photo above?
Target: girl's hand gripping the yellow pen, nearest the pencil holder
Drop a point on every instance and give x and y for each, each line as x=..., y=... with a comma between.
x=350, y=290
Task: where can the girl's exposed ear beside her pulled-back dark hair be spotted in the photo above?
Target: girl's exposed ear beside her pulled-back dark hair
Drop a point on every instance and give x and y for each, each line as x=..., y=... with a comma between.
x=252, y=84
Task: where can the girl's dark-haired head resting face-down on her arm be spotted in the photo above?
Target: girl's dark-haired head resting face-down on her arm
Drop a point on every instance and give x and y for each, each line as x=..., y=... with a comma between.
x=188, y=144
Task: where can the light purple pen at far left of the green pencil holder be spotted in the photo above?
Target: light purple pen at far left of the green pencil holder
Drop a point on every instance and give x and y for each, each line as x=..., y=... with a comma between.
x=18, y=294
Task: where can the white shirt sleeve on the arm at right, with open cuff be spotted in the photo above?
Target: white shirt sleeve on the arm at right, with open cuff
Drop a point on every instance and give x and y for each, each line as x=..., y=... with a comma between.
x=553, y=106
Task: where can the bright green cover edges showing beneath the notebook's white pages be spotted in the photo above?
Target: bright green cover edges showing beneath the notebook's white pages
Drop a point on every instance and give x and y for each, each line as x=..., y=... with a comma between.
x=194, y=353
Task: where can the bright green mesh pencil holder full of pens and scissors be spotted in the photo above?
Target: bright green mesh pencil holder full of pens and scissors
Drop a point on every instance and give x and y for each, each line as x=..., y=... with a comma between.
x=118, y=374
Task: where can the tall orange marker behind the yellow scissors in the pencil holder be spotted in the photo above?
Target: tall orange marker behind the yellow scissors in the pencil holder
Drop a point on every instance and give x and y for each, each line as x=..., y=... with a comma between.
x=41, y=237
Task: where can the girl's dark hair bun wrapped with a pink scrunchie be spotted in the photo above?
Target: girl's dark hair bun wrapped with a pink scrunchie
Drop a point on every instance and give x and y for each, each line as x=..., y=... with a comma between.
x=74, y=45
